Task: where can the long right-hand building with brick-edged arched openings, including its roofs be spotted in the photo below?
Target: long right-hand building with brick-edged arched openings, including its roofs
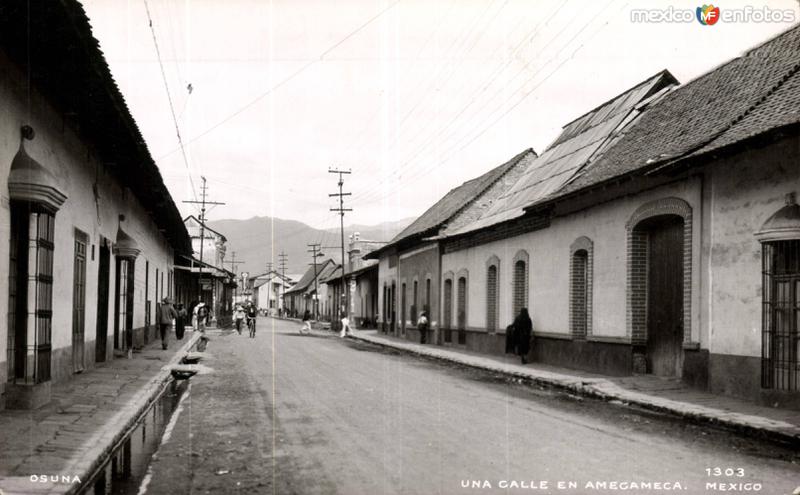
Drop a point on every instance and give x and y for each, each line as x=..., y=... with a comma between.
x=673, y=246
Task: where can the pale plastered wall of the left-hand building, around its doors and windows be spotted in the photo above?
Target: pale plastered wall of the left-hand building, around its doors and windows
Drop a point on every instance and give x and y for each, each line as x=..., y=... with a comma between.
x=76, y=168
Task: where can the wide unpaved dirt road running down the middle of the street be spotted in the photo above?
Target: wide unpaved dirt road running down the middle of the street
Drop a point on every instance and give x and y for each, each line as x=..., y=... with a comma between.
x=284, y=413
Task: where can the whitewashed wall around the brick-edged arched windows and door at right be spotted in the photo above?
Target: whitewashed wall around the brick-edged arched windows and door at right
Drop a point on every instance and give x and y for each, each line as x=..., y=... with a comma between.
x=549, y=251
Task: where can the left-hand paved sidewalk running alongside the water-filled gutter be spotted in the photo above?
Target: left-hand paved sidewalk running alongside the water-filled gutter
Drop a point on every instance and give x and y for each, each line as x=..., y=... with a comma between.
x=85, y=419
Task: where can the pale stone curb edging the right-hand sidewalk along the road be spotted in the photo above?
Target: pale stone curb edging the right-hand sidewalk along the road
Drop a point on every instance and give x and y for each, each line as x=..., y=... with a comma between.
x=606, y=390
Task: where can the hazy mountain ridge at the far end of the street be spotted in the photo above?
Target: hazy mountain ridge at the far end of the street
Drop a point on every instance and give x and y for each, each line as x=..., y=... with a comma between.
x=259, y=240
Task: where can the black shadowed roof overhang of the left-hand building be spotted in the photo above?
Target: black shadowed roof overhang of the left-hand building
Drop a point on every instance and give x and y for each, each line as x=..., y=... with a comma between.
x=53, y=43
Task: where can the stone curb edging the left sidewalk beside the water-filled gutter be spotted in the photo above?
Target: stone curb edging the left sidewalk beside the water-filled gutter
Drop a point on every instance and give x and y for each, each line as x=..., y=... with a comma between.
x=115, y=430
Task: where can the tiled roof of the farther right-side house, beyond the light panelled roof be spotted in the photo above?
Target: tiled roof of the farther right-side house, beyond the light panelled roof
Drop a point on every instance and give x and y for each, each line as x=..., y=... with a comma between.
x=455, y=200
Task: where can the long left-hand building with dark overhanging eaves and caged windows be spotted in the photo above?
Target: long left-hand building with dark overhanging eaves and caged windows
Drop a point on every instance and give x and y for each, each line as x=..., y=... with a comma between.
x=90, y=231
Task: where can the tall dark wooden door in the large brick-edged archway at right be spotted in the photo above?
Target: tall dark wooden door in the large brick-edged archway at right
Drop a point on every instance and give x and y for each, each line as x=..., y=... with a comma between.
x=665, y=297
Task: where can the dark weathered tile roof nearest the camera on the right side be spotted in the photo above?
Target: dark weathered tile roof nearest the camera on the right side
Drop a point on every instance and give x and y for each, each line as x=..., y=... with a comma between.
x=749, y=95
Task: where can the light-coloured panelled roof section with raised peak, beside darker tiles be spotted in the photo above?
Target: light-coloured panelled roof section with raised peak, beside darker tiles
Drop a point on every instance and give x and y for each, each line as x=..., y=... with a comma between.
x=579, y=142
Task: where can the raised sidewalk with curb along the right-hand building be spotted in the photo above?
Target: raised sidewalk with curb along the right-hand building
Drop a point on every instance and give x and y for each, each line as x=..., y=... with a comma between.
x=648, y=392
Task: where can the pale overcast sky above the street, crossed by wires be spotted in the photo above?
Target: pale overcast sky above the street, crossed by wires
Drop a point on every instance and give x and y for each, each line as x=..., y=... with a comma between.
x=414, y=97
